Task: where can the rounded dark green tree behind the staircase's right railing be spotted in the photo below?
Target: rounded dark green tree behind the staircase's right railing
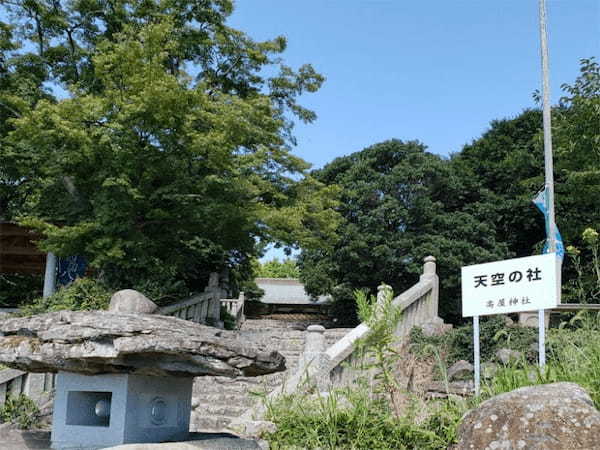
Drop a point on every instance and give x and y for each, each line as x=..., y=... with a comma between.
x=399, y=204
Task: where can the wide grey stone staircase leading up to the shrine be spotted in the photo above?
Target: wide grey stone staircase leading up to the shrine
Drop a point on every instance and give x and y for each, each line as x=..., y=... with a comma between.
x=217, y=401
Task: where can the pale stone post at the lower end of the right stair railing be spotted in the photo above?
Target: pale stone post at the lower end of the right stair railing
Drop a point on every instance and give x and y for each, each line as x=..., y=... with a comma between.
x=314, y=361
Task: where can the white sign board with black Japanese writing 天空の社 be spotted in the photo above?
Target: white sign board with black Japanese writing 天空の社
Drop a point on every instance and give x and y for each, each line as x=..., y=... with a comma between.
x=513, y=285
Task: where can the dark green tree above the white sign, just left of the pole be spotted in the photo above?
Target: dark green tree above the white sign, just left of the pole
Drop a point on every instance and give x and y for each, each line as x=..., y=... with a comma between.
x=501, y=172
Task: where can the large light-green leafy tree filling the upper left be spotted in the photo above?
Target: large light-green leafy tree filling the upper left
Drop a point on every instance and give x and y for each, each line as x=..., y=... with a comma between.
x=170, y=156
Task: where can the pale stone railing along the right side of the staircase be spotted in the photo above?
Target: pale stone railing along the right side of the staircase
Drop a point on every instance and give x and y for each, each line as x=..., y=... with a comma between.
x=332, y=367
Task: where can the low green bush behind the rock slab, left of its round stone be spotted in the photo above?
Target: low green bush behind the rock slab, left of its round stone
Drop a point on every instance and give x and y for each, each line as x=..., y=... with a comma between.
x=82, y=294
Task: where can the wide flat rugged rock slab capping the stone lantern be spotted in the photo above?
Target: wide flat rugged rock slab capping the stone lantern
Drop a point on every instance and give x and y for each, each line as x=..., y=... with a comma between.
x=95, y=342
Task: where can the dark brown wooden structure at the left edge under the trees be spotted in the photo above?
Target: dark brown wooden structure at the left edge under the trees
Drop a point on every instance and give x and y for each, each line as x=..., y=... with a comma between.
x=18, y=252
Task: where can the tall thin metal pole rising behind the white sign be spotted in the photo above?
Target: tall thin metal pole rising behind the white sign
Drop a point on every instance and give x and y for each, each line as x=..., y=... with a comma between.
x=548, y=164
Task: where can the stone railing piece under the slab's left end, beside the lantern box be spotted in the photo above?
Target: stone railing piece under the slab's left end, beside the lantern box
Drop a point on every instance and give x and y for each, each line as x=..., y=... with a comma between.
x=36, y=386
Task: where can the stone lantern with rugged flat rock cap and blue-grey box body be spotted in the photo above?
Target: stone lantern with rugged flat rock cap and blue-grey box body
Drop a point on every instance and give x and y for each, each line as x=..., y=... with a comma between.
x=125, y=378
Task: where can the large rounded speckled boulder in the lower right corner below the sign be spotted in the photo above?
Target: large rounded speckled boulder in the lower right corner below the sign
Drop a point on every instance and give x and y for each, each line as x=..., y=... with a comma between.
x=559, y=416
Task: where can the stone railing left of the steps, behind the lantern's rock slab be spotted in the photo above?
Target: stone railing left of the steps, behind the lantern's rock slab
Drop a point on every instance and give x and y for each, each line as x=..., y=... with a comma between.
x=201, y=308
